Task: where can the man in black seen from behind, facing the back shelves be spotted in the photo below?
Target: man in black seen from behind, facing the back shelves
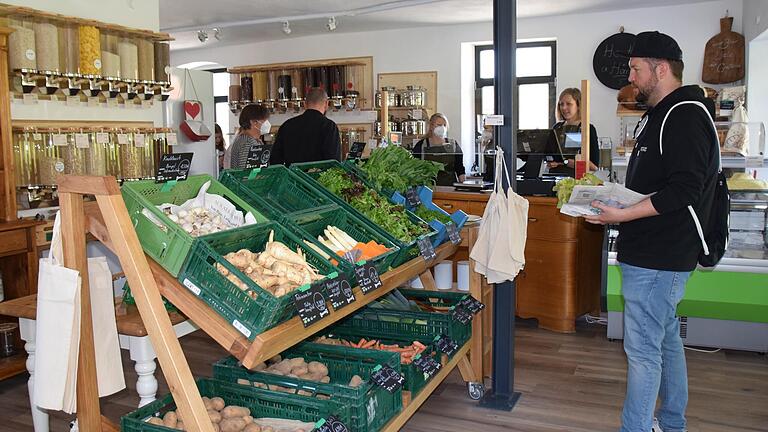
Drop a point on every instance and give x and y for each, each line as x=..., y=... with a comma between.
x=309, y=137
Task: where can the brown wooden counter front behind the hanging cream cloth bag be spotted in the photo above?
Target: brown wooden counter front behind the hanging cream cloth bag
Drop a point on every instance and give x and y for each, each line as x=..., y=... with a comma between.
x=561, y=278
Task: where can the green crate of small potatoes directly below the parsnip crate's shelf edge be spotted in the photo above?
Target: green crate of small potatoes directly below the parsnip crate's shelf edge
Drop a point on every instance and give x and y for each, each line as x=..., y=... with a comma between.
x=371, y=407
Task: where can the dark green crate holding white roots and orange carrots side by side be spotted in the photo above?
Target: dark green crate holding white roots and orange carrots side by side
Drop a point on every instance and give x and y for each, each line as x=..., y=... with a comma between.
x=309, y=225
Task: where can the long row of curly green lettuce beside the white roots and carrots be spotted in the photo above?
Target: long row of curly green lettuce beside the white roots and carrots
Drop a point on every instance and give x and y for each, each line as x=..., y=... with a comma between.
x=392, y=218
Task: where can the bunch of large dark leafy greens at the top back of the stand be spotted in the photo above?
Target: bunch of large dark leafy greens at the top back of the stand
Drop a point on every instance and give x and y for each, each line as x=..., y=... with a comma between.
x=394, y=168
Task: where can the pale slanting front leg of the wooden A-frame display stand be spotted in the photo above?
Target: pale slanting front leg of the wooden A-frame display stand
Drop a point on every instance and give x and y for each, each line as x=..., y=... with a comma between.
x=153, y=313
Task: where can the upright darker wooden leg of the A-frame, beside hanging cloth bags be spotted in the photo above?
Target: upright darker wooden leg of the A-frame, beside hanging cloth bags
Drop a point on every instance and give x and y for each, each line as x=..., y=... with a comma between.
x=73, y=246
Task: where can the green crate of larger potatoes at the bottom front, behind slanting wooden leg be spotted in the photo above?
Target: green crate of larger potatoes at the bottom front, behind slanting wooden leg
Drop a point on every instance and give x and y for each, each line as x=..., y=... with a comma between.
x=262, y=403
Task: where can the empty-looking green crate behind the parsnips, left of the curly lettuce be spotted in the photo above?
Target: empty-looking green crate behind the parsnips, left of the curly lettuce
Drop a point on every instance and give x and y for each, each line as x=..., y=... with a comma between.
x=275, y=191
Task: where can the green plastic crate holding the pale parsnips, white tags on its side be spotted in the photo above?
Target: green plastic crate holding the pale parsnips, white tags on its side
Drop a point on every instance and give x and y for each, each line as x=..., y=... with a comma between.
x=249, y=314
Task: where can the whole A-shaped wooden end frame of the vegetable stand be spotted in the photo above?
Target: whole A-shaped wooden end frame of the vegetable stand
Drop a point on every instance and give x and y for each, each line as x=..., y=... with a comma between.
x=118, y=234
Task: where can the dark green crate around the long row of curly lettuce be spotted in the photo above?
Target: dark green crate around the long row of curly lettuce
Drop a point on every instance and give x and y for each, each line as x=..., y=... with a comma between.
x=408, y=250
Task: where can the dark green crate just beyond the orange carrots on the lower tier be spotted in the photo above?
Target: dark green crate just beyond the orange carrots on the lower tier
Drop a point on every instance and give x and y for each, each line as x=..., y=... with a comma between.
x=422, y=326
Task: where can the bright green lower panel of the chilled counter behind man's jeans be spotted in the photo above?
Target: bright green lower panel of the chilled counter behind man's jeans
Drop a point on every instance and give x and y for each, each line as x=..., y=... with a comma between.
x=709, y=294
